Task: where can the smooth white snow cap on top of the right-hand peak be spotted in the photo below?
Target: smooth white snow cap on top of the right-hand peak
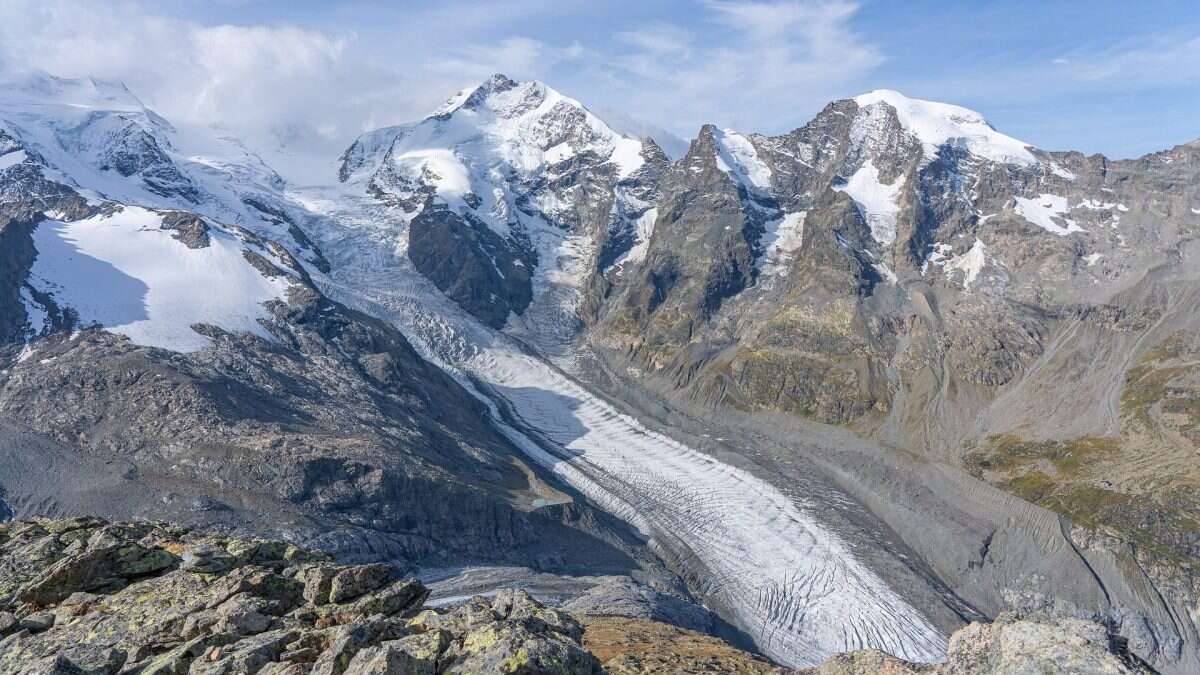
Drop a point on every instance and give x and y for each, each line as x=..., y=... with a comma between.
x=943, y=124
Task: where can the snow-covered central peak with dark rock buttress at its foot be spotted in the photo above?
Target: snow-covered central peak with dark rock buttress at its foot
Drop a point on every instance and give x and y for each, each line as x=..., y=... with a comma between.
x=513, y=195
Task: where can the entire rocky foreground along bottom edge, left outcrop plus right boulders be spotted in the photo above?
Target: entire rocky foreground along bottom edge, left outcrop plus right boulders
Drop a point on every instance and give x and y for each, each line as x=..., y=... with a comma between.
x=89, y=598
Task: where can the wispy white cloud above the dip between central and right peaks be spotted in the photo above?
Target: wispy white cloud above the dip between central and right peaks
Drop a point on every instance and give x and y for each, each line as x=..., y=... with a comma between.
x=763, y=67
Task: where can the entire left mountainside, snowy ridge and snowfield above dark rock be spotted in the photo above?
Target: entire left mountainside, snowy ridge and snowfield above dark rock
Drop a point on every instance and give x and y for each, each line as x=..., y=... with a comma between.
x=158, y=360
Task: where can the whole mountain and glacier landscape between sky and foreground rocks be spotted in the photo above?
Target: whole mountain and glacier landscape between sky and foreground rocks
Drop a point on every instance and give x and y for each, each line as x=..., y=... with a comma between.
x=851, y=387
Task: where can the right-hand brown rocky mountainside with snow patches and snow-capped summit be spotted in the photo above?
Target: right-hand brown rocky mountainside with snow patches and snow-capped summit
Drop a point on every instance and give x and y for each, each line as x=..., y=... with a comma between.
x=949, y=291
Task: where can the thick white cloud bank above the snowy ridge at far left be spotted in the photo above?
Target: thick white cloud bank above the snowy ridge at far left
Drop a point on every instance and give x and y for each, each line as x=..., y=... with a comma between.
x=251, y=79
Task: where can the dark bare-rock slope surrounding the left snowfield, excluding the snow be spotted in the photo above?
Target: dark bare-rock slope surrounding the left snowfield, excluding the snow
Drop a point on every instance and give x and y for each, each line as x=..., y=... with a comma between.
x=333, y=429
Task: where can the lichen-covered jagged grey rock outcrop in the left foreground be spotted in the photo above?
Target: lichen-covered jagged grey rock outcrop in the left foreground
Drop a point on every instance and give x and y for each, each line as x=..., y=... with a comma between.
x=86, y=596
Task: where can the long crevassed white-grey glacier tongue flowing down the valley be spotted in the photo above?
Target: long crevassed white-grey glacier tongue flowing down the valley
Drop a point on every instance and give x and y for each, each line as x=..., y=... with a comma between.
x=758, y=557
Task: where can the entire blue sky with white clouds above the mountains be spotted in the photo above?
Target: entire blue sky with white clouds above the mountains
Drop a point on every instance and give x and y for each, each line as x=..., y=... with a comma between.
x=1117, y=77
